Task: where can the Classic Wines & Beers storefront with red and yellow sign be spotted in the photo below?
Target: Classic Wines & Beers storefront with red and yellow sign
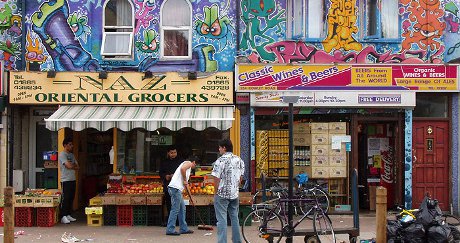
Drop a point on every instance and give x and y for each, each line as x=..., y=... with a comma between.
x=352, y=117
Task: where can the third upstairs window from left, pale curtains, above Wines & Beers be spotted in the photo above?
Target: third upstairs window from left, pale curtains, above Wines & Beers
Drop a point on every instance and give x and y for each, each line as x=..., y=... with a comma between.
x=306, y=19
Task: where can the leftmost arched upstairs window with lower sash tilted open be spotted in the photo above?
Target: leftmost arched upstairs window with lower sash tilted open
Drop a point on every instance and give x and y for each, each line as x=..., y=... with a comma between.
x=117, y=40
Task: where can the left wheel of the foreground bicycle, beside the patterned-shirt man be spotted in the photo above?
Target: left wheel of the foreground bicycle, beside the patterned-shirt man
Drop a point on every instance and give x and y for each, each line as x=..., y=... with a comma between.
x=262, y=224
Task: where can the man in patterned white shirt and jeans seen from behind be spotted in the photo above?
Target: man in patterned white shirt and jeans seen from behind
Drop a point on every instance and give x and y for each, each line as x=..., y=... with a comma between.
x=228, y=171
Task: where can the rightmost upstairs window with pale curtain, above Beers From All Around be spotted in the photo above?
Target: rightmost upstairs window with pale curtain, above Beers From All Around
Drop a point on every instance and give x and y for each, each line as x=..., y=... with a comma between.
x=381, y=20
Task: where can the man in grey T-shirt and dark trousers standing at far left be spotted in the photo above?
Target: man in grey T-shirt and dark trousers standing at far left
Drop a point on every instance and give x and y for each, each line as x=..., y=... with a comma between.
x=68, y=165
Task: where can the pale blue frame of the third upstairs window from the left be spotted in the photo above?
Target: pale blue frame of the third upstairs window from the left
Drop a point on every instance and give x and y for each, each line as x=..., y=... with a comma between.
x=304, y=35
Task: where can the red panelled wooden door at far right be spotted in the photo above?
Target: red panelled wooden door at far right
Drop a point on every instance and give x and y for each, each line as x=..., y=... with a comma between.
x=430, y=168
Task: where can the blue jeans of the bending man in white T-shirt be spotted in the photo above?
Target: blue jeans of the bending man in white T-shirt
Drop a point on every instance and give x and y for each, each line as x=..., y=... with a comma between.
x=177, y=210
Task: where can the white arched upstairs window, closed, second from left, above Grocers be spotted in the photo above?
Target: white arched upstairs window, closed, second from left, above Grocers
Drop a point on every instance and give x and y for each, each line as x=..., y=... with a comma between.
x=176, y=30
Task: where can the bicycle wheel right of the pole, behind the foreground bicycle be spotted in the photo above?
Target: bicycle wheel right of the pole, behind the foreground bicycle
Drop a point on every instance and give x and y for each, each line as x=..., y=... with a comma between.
x=311, y=194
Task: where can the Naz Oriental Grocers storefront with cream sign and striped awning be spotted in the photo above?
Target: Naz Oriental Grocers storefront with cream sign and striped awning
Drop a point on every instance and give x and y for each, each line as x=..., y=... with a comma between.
x=136, y=115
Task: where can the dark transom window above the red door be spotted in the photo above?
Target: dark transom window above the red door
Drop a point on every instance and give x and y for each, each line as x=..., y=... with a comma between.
x=431, y=106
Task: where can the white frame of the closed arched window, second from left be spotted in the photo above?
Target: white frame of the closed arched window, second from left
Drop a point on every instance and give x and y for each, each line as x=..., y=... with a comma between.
x=179, y=28
